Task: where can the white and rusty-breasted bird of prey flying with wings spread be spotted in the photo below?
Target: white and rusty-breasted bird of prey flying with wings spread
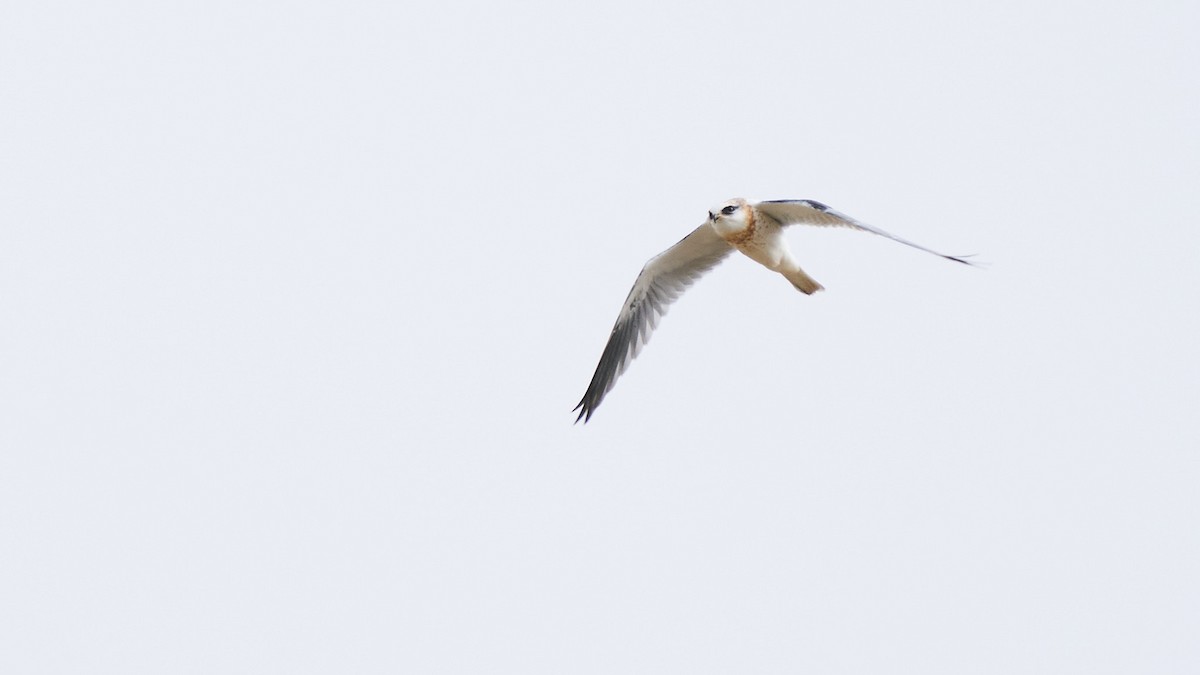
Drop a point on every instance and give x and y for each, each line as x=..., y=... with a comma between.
x=754, y=229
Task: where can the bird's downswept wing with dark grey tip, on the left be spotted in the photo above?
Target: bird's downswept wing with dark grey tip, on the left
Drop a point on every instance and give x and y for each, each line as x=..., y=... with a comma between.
x=664, y=279
